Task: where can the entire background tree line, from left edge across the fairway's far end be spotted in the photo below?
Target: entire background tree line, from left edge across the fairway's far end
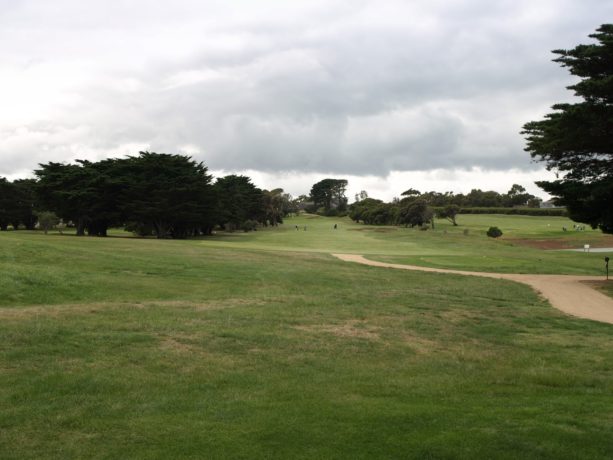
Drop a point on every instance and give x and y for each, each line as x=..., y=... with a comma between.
x=172, y=196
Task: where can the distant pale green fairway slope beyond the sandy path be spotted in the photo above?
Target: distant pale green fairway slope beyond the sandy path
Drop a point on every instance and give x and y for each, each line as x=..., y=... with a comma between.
x=444, y=247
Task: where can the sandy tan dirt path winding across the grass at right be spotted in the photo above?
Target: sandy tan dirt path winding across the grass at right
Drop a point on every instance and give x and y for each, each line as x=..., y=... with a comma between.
x=567, y=293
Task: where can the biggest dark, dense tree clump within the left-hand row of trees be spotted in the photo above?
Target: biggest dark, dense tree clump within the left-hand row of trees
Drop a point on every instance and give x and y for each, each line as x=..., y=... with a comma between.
x=161, y=194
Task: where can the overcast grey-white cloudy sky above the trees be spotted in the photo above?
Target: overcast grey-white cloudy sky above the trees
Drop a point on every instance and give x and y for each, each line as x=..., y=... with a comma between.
x=388, y=94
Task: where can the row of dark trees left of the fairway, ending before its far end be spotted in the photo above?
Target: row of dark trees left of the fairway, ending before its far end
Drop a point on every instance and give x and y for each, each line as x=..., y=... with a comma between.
x=166, y=195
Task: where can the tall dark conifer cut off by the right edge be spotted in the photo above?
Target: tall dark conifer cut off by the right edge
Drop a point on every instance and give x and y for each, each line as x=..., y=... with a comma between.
x=576, y=139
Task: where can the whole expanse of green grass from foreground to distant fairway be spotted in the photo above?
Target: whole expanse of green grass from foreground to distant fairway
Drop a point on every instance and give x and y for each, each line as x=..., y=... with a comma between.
x=263, y=346
